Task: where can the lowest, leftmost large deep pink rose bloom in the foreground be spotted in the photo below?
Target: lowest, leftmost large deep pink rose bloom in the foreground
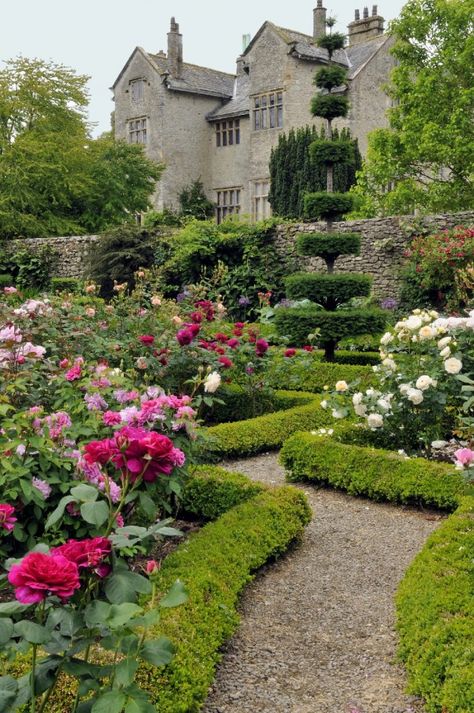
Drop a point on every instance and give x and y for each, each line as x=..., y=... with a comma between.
x=39, y=575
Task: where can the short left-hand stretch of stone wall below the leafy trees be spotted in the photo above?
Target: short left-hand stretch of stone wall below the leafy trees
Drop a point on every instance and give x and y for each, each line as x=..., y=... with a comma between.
x=73, y=252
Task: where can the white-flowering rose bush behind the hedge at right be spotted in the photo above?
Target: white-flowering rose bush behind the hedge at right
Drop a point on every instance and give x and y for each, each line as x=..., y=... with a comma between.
x=425, y=383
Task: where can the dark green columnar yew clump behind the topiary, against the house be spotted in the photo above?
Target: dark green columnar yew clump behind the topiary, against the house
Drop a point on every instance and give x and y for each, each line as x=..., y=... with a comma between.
x=294, y=172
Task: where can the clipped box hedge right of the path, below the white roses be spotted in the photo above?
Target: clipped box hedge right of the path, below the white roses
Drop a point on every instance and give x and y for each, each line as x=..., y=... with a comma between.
x=375, y=473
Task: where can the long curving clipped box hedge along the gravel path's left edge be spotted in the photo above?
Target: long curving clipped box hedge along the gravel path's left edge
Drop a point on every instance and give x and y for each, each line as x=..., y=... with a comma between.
x=215, y=565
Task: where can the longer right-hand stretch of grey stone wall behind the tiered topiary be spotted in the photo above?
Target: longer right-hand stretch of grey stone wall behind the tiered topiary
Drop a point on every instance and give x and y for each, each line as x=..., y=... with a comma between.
x=384, y=241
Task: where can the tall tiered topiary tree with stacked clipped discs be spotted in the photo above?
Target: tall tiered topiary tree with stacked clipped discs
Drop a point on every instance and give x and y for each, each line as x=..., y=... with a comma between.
x=329, y=292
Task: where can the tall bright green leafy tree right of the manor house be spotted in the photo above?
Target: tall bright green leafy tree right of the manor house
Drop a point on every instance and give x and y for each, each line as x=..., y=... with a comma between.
x=426, y=157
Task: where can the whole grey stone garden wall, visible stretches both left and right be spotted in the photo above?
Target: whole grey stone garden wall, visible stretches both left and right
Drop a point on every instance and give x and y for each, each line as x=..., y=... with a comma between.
x=384, y=240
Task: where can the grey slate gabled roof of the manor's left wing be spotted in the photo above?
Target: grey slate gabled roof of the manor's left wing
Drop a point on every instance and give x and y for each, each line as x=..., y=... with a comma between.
x=194, y=79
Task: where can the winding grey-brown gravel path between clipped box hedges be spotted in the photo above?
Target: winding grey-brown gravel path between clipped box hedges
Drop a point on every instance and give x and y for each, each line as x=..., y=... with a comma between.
x=317, y=632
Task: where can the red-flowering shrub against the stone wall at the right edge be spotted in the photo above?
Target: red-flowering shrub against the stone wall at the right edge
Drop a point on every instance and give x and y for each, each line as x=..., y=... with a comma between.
x=442, y=266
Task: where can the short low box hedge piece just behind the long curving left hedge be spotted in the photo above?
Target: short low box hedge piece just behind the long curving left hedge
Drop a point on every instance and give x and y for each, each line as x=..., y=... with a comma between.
x=211, y=491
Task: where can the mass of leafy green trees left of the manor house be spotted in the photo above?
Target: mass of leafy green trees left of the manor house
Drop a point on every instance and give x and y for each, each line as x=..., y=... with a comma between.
x=54, y=178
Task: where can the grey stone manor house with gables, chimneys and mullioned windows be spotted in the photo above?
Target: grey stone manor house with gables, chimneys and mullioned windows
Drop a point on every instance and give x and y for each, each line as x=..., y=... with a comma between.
x=220, y=128
